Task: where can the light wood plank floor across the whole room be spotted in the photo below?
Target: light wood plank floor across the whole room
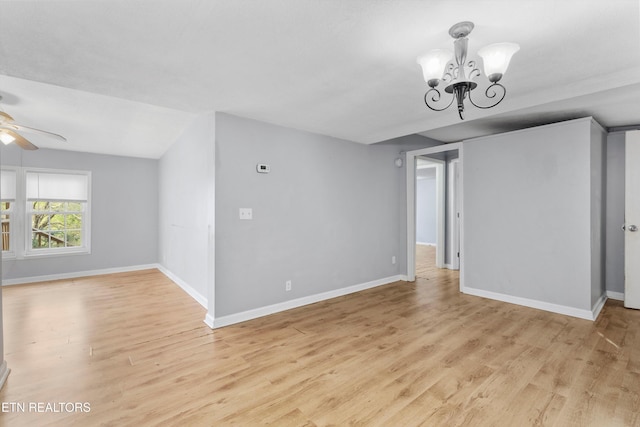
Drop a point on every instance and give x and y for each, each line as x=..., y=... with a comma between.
x=135, y=347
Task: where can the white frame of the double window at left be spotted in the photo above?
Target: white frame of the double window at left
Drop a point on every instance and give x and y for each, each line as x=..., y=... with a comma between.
x=20, y=231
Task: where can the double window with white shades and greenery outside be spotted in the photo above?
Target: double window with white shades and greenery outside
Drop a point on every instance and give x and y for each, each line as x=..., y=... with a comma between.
x=49, y=216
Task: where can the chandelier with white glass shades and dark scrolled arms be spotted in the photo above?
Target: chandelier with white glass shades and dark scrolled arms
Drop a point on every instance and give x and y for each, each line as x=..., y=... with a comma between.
x=437, y=66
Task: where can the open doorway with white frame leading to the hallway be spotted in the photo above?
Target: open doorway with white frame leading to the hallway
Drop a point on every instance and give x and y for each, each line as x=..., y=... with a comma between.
x=445, y=163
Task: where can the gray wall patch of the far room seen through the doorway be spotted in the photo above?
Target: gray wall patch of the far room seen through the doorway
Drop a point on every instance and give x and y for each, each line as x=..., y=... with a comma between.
x=426, y=206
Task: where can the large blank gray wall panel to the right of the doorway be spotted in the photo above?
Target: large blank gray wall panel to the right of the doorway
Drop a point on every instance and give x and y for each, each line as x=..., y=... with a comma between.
x=528, y=214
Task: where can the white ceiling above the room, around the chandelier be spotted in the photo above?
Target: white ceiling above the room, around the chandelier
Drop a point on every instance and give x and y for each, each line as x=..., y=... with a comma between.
x=126, y=77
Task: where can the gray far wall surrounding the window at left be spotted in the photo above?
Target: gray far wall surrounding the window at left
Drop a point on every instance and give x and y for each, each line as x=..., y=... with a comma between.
x=124, y=212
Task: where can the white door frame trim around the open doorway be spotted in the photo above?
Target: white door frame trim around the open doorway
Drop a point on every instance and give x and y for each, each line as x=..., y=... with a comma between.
x=411, y=203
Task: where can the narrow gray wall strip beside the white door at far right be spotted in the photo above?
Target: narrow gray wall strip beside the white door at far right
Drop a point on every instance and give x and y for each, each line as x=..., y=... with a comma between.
x=614, y=263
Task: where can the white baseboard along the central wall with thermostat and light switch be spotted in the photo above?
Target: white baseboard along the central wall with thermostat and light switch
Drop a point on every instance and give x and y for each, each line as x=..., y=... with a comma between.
x=295, y=303
